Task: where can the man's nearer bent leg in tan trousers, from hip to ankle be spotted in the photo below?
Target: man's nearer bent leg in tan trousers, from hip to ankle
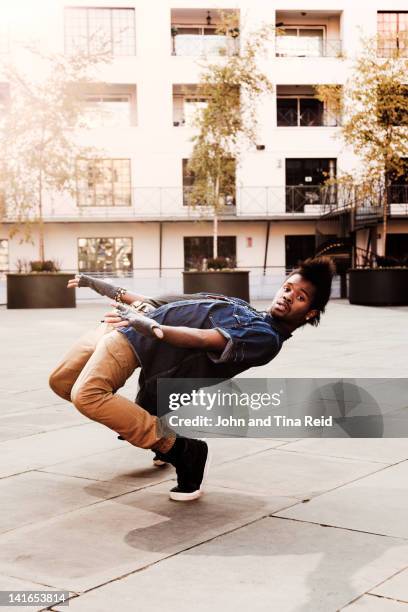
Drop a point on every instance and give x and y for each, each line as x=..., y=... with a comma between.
x=94, y=394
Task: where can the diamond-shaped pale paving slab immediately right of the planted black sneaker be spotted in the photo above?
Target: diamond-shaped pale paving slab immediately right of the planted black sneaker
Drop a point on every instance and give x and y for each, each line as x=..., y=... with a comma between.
x=290, y=474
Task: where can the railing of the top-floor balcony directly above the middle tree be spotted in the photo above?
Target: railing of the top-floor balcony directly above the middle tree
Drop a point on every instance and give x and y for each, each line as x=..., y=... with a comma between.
x=204, y=45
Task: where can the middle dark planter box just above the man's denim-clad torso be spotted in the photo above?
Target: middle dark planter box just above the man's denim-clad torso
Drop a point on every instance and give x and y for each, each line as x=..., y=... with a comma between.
x=232, y=283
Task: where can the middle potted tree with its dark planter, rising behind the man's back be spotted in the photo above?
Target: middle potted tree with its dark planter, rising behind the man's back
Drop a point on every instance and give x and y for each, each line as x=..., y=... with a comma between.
x=225, y=128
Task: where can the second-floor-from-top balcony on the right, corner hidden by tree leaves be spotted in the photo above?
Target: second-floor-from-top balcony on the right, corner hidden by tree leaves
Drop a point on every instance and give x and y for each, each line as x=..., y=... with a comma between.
x=297, y=107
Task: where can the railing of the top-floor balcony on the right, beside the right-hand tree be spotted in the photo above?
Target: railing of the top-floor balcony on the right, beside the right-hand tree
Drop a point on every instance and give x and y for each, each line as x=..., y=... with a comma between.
x=303, y=46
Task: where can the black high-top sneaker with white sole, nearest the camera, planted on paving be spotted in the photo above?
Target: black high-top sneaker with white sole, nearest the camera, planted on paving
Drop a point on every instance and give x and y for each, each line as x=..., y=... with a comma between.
x=192, y=463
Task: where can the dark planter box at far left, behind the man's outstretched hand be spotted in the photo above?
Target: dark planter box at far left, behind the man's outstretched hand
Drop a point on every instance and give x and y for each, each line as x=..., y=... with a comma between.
x=40, y=290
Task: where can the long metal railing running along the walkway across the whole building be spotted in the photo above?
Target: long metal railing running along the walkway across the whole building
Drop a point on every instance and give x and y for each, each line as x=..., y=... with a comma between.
x=155, y=203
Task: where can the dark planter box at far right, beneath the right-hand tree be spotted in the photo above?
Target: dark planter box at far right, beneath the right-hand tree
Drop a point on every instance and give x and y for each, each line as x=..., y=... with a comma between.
x=379, y=286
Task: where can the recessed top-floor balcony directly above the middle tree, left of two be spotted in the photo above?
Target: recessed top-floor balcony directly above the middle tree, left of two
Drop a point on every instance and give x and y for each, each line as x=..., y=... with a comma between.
x=201, y=32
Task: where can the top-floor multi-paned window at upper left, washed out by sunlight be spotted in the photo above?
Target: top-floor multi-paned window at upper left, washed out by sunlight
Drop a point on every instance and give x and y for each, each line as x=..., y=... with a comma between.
x=87, y=29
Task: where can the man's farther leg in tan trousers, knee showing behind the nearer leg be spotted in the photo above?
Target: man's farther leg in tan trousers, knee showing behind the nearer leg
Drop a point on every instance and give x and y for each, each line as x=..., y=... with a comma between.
x=62, y=379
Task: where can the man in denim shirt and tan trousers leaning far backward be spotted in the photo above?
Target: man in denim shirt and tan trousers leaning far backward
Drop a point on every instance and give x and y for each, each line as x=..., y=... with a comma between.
x=193, y=336
